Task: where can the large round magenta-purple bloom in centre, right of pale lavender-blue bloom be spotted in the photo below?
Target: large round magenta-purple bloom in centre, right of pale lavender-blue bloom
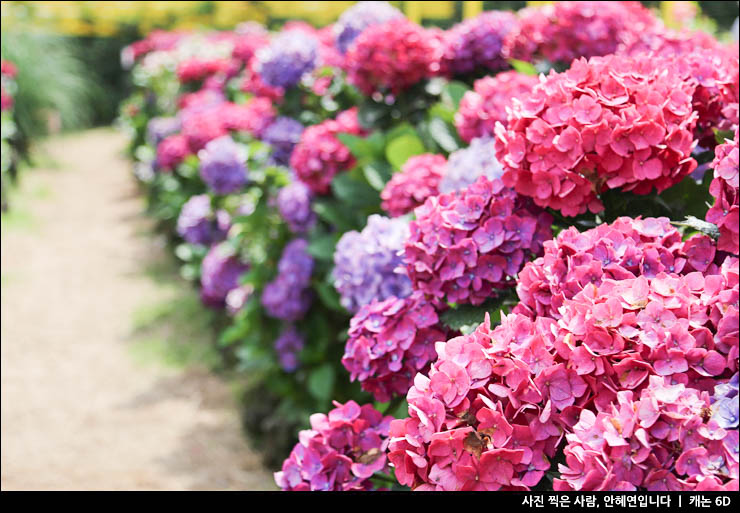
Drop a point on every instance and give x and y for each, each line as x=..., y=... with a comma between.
x=463, y=246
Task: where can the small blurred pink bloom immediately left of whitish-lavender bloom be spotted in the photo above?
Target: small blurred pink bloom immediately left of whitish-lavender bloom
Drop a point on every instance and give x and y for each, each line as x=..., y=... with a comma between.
x=419, y=179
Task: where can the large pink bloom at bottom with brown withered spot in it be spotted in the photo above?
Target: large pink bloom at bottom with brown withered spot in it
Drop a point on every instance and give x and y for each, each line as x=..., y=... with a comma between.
x=483, y=417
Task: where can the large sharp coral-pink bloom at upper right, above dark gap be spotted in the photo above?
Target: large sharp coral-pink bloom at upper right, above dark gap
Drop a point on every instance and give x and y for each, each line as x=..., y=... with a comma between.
x=609, y=122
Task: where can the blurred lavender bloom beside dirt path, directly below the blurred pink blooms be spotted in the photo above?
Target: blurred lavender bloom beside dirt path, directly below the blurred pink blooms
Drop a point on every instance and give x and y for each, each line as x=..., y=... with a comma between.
x=223, y=165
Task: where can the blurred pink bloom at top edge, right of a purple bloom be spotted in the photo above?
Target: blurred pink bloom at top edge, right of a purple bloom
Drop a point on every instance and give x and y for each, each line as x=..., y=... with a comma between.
x=563, y=31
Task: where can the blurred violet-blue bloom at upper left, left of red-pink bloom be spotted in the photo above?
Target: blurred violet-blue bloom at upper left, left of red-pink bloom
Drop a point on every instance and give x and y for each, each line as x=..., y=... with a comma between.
x=288, y=56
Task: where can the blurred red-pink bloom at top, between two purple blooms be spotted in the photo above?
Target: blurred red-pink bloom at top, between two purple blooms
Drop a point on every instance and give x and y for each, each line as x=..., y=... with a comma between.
x=392, y=56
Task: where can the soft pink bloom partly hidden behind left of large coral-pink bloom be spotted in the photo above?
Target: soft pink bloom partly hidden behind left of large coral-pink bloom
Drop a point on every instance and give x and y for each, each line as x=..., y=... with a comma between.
x=486, y=104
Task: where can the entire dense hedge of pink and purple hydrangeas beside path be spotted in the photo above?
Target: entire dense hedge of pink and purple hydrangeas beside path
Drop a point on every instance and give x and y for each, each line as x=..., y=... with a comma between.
x=552, y=302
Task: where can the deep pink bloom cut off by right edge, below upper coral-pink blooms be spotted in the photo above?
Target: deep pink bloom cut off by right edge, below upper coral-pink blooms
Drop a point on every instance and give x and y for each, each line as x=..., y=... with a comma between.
x=724, y=187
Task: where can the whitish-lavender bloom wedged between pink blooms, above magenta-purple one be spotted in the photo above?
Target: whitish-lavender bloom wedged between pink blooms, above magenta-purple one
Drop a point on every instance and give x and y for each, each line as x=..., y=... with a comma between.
x=466, y=165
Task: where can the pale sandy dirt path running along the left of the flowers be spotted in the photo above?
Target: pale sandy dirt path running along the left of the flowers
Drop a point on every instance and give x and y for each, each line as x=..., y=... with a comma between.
x=78, y=410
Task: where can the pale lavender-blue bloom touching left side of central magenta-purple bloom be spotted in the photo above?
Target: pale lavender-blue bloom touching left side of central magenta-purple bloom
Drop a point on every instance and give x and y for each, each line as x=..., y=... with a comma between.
x=365, y=263
